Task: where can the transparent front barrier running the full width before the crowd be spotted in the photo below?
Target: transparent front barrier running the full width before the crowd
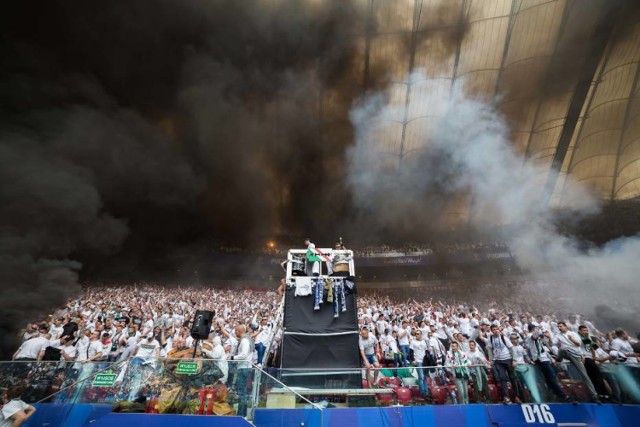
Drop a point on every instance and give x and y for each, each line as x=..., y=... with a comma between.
x=209, y=387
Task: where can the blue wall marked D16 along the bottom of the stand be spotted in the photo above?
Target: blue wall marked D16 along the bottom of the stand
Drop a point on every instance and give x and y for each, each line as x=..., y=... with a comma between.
x=591, y=415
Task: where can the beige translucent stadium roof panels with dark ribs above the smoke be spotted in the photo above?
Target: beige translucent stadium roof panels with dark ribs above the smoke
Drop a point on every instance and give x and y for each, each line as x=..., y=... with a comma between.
x=563, y=72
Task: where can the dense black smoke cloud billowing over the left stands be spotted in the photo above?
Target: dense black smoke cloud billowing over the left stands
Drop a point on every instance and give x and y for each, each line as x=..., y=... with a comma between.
x=130, y=130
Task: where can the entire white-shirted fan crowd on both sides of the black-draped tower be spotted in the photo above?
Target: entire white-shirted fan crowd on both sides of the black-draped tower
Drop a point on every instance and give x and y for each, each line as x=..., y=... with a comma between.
x=114, y=323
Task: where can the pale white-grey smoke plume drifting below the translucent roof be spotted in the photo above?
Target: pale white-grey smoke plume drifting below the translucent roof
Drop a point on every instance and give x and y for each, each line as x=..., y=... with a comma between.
x=460, y=145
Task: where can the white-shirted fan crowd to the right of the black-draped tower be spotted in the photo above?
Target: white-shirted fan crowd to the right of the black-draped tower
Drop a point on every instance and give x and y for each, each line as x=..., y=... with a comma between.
x=506, y=337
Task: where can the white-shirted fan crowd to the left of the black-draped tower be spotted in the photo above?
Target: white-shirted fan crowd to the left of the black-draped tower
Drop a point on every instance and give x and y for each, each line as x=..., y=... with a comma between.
x=113, y=323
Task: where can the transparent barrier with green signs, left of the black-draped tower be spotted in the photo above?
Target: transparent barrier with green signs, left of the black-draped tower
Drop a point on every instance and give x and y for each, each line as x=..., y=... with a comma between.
x=76, y=393
